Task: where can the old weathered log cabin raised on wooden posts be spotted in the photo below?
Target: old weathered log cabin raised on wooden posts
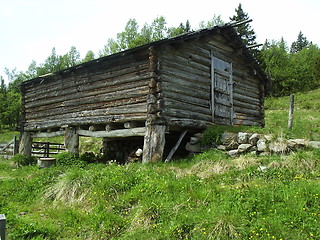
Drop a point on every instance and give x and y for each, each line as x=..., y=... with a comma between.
x=147, y=95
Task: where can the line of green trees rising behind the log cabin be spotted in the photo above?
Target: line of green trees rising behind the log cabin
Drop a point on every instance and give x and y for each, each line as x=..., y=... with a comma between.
x=290, y=70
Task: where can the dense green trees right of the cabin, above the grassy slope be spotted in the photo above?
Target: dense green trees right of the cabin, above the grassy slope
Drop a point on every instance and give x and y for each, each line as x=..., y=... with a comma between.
x=290, y=72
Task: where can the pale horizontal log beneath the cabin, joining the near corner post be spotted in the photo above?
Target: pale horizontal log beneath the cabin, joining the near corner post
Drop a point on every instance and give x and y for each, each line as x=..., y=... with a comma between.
x=119, y=133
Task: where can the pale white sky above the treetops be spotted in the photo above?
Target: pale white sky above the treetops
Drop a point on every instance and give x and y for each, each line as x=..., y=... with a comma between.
x=29, y=29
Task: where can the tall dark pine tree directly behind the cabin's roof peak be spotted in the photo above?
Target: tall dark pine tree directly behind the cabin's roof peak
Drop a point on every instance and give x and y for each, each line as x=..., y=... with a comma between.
x=245, y=30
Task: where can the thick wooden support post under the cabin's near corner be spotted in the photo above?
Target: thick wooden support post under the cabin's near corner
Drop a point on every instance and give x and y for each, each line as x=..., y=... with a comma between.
x=154, y=141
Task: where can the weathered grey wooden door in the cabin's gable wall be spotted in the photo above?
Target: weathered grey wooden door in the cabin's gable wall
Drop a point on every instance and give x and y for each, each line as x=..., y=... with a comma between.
x=221, y=91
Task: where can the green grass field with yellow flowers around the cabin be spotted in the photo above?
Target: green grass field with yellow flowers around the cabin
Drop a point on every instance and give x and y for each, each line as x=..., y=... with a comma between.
x=208, y=196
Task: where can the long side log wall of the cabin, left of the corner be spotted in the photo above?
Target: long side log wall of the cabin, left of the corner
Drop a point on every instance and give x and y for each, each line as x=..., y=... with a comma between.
x=100, y=93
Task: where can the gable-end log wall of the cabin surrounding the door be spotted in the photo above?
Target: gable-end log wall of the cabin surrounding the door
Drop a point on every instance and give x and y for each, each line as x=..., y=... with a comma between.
x=186, y=84
